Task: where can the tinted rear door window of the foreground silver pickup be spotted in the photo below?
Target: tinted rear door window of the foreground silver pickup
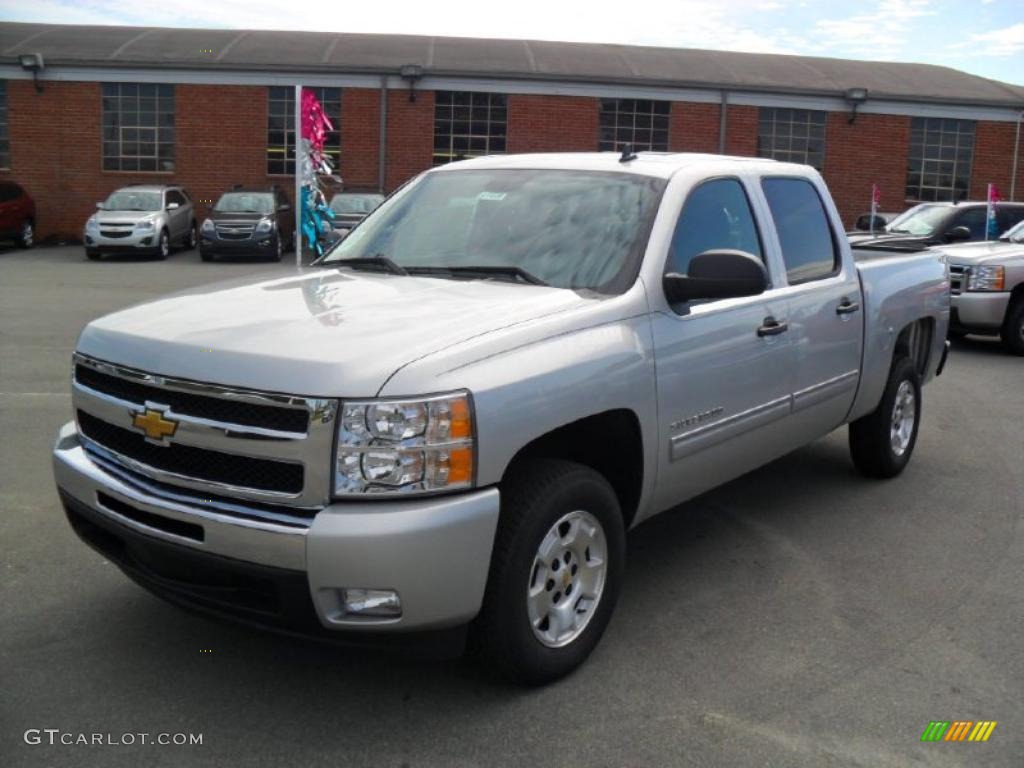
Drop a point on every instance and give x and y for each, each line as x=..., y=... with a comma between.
x=804, y=233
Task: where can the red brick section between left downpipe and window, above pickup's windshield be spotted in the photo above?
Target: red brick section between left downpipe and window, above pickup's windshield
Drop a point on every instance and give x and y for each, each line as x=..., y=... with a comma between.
x=410, y=136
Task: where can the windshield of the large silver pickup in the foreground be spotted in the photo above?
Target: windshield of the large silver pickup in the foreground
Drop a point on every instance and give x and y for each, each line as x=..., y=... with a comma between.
x=569, y=229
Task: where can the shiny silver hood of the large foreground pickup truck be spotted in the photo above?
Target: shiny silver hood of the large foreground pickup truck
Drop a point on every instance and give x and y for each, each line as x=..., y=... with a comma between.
x=318, y=332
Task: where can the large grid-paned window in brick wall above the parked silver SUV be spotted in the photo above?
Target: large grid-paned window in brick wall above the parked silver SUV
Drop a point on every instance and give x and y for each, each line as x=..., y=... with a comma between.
x=139, y=127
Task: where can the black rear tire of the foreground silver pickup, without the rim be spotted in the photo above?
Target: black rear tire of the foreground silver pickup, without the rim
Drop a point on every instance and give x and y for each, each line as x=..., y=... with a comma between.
x=871, y=437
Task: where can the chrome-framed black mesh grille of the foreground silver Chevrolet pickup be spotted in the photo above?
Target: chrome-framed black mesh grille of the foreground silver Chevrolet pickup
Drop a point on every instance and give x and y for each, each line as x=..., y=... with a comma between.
x=236, y=444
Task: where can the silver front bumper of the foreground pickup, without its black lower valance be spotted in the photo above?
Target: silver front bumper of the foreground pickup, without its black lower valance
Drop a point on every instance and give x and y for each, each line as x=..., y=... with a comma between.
x=436, y=552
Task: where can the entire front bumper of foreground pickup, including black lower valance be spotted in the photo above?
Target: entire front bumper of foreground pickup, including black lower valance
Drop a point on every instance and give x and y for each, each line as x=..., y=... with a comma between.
x=285, y=575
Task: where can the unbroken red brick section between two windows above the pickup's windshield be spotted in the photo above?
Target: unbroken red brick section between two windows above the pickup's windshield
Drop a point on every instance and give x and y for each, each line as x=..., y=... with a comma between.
x=552, y=124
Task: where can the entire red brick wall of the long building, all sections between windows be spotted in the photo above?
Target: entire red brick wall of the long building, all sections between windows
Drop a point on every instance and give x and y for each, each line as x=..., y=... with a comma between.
x=222, y=140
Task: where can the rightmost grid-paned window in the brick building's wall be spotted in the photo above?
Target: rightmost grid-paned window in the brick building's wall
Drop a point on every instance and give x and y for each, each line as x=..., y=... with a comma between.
x=938, y=164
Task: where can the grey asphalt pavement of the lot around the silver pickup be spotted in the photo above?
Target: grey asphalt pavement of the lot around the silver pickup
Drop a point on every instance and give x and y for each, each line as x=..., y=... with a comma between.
x=799, y=617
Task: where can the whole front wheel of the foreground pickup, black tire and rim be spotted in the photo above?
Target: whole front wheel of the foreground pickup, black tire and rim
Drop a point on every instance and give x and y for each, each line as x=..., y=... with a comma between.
x=556, y=574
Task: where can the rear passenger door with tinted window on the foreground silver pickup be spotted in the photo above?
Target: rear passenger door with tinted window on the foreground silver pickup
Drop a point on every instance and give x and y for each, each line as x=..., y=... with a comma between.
x=826, y=305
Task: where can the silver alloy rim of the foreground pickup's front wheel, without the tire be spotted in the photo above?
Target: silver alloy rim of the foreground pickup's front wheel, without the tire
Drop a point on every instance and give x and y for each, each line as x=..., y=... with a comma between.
x=568, y=579
